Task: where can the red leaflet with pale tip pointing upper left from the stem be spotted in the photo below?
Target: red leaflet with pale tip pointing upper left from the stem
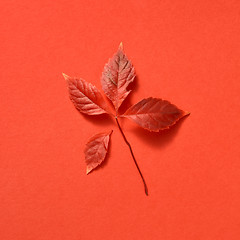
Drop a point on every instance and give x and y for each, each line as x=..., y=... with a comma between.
x=86, y=97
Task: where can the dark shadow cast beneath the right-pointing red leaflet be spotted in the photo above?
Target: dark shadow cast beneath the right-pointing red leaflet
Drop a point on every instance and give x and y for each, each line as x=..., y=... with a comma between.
x=159, y=139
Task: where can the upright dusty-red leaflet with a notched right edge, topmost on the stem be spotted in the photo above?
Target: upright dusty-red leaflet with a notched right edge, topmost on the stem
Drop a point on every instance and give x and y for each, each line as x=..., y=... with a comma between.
x=118, y=73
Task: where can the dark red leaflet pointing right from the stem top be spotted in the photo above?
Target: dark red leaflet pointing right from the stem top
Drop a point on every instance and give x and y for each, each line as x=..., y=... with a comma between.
x=154, y=114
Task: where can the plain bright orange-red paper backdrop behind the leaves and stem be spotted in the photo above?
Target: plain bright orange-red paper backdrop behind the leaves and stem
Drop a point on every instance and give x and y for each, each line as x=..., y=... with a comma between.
x=184, y=51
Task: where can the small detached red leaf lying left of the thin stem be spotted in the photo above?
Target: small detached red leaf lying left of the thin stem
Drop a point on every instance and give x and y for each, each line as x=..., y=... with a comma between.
x=96, y=150
